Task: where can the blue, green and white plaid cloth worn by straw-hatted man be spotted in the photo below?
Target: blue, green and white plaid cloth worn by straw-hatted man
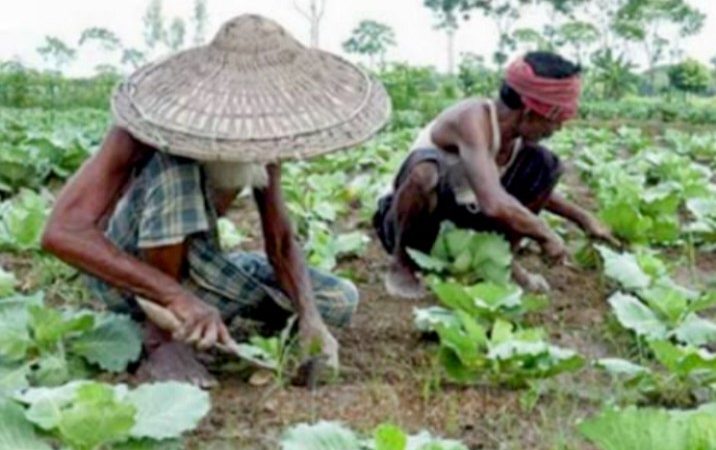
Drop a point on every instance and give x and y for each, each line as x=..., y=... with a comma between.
x=168, y=202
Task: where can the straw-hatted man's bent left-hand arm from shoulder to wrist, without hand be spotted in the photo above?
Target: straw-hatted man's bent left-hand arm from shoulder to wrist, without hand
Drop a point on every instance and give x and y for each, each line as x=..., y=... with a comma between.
x=73, y=232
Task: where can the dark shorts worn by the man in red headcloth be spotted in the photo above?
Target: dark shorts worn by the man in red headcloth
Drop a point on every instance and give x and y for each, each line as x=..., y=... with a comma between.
x=531, y=178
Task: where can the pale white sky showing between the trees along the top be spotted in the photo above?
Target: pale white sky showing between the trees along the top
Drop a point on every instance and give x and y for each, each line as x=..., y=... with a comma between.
x=25, y=23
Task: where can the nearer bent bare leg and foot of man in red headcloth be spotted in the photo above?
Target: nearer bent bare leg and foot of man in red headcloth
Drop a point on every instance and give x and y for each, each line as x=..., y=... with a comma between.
x=414, y=222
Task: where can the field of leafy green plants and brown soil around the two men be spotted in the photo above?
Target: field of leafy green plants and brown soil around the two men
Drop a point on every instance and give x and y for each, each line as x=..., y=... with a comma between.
x=622, y=342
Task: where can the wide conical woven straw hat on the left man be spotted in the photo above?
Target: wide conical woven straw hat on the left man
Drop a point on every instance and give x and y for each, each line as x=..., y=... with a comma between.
x=254, y=94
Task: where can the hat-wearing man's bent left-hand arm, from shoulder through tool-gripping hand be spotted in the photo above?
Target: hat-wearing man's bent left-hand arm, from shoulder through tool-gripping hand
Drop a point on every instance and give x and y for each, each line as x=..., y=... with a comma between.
x=73, y=234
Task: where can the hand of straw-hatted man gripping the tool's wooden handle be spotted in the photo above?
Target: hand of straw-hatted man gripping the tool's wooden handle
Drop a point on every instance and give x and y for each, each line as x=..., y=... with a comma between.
x=202, y=325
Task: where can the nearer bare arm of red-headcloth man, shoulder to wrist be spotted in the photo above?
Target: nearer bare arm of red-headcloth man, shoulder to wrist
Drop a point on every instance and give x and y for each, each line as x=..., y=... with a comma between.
x=464, y=132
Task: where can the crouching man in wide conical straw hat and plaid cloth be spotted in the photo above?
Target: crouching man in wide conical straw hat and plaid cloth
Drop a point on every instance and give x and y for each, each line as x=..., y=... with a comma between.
x=191, y=131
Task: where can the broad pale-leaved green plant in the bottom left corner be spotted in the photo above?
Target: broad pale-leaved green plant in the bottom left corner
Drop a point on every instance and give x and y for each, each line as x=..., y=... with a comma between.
x=86, y=415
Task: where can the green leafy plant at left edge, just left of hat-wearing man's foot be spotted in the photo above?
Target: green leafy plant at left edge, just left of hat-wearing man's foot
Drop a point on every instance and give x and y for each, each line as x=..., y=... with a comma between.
x=45, y=346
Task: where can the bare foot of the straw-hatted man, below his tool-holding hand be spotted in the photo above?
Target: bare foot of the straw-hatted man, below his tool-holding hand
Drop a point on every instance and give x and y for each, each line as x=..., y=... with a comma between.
x=175, y=361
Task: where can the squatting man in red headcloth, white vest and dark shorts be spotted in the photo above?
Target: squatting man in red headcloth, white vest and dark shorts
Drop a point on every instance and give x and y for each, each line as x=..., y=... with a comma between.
x=479, y=165
